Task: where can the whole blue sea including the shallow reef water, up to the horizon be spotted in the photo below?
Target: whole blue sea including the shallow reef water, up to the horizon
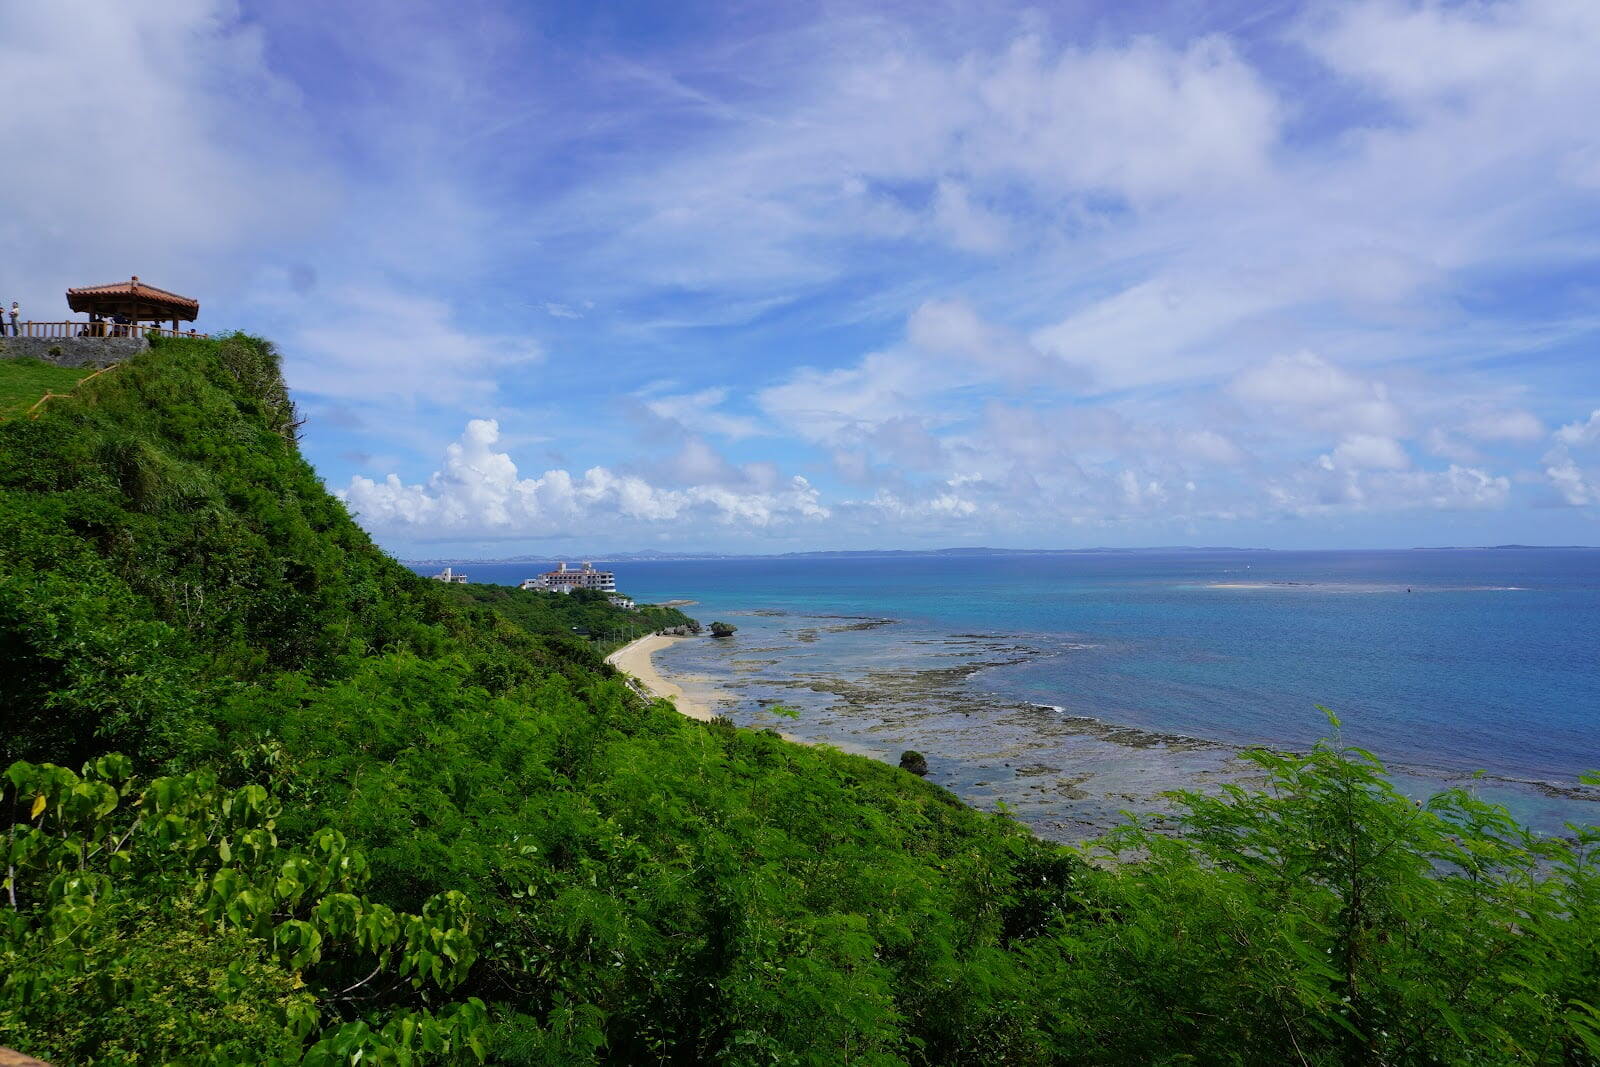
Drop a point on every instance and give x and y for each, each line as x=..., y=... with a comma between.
x=1073, y=685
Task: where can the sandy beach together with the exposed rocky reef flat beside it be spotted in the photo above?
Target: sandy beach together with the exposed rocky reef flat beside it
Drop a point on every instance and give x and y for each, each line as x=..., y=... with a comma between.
x=1068, y=777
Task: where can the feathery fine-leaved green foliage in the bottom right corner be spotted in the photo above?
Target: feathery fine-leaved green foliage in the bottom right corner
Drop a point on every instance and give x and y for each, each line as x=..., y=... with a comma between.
x=1329, y=919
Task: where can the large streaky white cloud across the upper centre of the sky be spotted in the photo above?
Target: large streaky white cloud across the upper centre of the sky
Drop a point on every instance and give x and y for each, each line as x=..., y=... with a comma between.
x=830, y=162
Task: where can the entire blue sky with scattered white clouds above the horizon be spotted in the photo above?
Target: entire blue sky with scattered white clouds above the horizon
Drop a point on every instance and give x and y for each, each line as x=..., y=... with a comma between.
x=814, y=276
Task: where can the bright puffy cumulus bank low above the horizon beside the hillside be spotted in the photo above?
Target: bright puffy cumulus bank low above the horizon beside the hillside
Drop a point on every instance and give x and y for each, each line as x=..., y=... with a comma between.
x=479, y=492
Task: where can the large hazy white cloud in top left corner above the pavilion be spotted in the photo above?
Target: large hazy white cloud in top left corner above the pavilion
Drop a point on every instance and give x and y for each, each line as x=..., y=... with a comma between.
x=146, y=138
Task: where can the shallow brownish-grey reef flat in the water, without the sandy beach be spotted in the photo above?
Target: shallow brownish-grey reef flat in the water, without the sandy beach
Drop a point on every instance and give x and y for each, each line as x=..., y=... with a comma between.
x=881, y=687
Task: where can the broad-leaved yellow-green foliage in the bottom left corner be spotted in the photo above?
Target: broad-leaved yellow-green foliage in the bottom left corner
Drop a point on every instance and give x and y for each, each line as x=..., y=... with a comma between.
x=161, y=921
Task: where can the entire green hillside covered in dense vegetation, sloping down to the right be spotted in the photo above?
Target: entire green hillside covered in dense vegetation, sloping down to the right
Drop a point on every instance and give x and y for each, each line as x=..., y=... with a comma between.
x=274, y=799
